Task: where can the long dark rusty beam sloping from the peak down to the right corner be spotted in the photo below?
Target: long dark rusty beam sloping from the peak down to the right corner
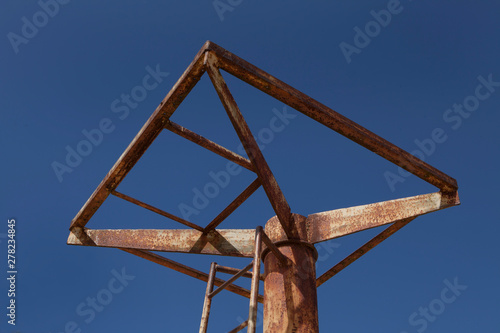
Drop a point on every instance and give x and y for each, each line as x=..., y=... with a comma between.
x=329, y=118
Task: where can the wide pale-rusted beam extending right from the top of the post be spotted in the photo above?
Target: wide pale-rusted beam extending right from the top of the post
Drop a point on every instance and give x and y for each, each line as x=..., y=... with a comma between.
x=336, y=223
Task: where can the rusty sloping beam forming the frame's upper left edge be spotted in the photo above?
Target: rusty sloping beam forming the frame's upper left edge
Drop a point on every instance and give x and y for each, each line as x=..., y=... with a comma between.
x=143, y=139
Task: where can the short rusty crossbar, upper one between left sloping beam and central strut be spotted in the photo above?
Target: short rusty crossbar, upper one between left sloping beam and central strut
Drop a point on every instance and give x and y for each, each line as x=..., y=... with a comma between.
x=210, y=145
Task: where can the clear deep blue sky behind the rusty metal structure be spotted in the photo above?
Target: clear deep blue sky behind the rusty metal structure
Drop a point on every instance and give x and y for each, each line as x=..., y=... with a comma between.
x=63, y=74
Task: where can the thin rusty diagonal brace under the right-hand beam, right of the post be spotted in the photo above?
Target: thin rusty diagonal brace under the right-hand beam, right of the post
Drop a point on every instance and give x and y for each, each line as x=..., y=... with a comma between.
x=362, y=250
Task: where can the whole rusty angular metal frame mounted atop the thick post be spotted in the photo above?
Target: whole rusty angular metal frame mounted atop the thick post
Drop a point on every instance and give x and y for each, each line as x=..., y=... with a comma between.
x=212, y=59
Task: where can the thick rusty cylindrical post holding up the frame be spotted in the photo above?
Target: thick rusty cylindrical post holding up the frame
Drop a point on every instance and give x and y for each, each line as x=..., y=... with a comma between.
x=290, y=297
